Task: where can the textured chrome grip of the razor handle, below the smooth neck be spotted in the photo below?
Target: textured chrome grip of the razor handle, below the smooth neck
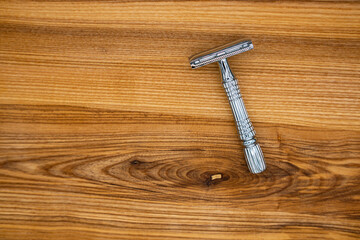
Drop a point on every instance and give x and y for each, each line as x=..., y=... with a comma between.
x=253, y=155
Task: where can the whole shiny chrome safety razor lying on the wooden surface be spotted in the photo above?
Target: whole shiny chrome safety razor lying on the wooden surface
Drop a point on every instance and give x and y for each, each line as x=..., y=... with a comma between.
x=253, y=154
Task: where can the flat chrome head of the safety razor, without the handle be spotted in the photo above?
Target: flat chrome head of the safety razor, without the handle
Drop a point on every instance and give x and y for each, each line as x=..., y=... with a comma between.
x=219, y=53
